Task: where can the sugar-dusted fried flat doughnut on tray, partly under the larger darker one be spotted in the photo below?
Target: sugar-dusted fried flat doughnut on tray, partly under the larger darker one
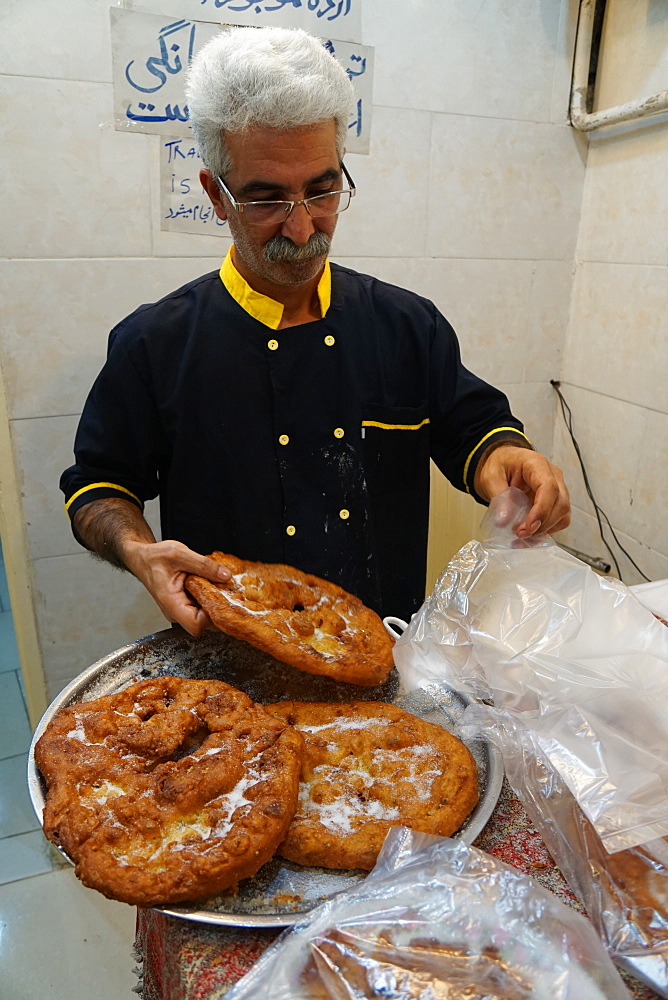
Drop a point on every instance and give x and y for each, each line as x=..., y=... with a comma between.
x=368, y=766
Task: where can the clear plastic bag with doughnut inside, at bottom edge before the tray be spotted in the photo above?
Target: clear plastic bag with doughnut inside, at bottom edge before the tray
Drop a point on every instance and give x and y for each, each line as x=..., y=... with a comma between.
x=437, y=920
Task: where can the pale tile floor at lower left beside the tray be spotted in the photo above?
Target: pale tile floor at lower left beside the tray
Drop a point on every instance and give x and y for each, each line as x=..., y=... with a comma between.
x=58, y=940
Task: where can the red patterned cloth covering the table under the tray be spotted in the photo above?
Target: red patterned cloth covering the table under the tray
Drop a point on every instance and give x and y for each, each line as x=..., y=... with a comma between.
x=188, y=961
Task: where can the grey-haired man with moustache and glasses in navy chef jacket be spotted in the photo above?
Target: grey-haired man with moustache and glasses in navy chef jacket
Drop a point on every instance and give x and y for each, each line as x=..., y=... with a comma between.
x=285, y=410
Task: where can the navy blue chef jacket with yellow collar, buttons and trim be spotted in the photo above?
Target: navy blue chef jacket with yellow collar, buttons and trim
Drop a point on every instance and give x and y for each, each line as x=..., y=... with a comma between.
x=308, y=445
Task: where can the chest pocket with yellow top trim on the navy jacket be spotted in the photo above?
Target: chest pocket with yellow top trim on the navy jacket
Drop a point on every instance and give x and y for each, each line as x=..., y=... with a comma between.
x=395, y=447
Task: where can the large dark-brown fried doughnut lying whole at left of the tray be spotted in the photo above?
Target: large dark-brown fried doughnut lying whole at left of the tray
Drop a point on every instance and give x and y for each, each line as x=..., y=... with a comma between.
x=170, y=790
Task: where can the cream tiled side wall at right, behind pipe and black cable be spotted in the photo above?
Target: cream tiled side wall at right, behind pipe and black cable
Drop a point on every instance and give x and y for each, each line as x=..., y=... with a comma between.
x=616, y=357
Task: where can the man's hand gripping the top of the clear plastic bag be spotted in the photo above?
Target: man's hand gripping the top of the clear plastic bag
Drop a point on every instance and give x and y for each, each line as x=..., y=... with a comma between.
x=509, y=465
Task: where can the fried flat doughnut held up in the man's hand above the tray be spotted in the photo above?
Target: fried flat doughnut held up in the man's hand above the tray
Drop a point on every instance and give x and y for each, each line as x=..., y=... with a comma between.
x=298, y=618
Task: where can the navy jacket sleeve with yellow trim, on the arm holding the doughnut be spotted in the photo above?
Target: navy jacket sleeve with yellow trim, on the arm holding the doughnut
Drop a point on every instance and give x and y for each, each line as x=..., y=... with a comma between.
x=119, y=444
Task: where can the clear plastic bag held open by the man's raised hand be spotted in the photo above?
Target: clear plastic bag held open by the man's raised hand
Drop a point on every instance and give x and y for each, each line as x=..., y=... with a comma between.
x=574, y=655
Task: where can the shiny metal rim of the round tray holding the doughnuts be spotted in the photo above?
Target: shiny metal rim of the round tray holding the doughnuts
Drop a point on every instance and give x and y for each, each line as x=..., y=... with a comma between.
x=477, y=821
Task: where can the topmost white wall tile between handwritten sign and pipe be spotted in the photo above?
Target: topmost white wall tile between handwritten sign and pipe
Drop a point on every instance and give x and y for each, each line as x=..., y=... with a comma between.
x=495, y=59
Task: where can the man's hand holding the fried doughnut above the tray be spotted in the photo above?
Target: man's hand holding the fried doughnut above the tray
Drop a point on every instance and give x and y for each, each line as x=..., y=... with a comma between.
x=162, y=567
